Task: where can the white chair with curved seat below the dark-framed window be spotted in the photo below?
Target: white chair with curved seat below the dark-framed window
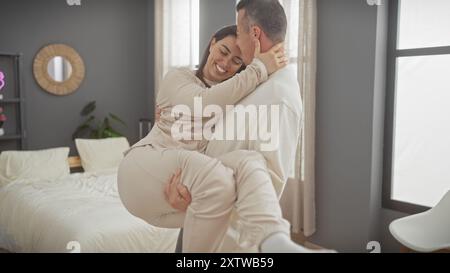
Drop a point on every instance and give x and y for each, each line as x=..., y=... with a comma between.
x=425, y=232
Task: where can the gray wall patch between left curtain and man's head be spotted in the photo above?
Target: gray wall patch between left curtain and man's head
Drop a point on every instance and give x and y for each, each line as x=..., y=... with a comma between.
x=214, y=14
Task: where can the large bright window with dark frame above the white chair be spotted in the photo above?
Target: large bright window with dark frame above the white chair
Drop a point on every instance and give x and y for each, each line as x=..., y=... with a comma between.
x=417, y=155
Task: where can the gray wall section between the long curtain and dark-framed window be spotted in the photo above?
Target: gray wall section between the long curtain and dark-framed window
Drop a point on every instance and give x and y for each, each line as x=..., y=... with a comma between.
x=352, y=39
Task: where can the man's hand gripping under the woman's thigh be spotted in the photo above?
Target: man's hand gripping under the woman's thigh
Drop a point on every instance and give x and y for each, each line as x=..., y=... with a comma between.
x=177, y=195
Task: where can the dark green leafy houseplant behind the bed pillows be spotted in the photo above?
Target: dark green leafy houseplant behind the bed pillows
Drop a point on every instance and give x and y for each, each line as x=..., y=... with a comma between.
x=97, y=130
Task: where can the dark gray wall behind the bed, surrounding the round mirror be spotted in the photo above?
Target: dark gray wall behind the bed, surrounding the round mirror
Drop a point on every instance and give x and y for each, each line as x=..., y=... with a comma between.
x=115, y=40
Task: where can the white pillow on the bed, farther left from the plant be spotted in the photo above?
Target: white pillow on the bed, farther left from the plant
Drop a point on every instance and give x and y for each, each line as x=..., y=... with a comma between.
x=48, y=164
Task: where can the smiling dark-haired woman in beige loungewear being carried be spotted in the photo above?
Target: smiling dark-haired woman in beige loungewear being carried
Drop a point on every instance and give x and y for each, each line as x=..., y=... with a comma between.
x=151, y=162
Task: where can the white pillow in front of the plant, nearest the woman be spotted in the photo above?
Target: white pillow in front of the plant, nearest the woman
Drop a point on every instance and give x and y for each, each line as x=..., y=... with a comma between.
x=101, y=154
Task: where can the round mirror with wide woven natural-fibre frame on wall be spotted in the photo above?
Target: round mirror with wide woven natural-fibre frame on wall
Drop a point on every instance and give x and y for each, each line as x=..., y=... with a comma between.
x=59, y=69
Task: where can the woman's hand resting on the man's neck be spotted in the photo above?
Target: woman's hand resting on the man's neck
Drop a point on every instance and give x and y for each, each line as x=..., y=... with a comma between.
x=274, y=59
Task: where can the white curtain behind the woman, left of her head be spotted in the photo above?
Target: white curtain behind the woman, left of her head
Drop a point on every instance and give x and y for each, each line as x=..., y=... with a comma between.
x=176, y=36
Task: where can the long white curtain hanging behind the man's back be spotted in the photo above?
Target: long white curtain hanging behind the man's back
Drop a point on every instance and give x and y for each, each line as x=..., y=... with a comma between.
x=298, y=201
